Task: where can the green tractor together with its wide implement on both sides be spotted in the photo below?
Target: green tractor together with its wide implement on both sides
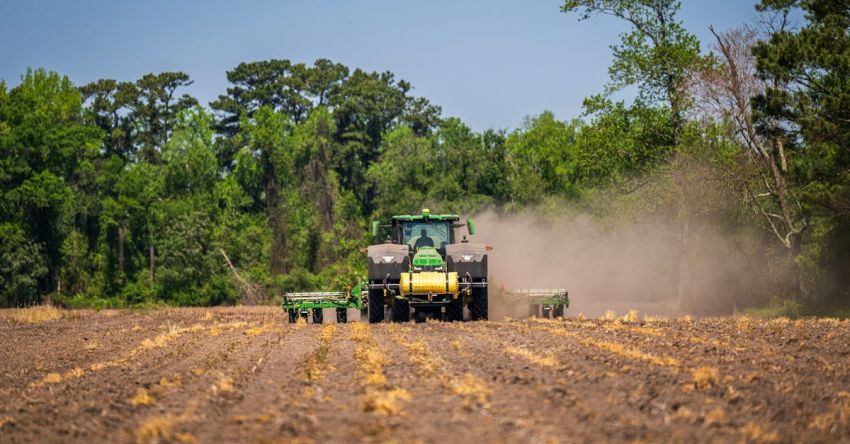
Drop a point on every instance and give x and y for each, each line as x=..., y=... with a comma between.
x=420, y=266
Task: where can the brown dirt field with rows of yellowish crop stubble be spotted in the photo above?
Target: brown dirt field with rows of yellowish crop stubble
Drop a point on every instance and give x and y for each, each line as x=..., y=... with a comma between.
x=243, y=375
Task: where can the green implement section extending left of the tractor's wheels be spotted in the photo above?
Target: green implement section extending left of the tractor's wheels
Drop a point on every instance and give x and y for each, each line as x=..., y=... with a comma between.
x=302, y=304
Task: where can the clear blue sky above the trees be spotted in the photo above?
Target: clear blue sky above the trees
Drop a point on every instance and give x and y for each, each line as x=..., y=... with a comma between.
x=489, y=62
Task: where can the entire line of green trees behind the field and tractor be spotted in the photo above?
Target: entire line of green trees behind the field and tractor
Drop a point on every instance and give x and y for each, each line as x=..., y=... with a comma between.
x=131, y=193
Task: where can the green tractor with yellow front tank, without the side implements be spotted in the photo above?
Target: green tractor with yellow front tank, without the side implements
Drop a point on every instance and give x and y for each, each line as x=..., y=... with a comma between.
x=423, y=267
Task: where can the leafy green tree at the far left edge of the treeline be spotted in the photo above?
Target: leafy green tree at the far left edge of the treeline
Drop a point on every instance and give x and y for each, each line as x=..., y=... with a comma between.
x=46, y=153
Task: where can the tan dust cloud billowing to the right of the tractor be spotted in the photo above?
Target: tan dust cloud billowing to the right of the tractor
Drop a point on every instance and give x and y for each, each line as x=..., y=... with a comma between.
x=619, y=268
